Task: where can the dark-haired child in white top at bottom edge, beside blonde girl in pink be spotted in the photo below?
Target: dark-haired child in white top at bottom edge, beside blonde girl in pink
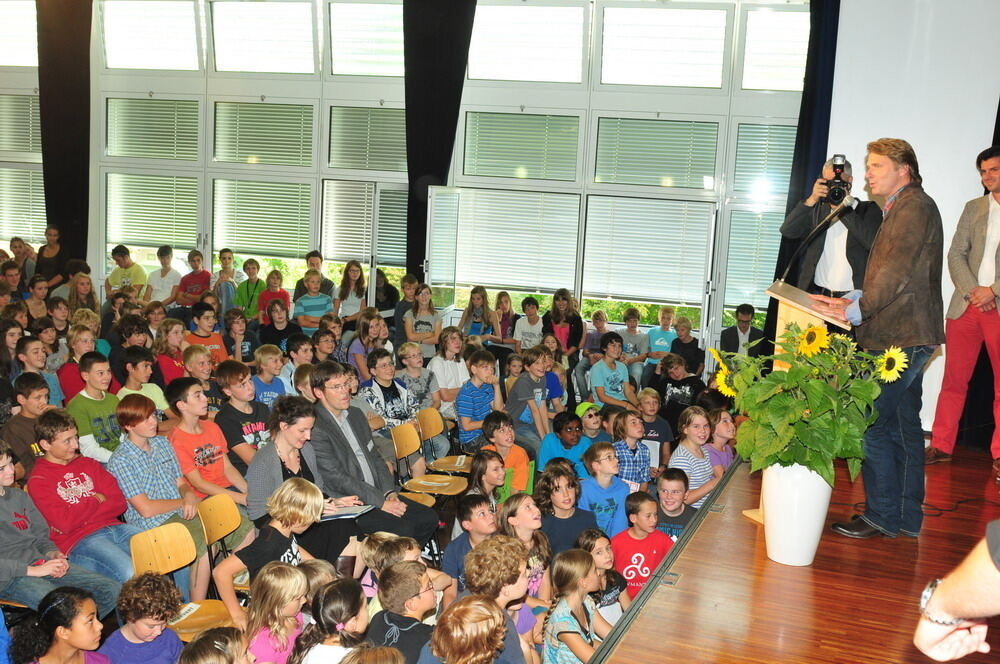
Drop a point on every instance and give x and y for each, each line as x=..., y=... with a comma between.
x=340, y=615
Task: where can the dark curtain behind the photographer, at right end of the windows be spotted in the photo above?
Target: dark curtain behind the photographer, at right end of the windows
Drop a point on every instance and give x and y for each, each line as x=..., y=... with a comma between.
x=814, y=127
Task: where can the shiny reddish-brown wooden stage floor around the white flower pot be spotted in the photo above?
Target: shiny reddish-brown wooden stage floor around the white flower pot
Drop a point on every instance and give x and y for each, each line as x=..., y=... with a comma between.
x=856, y=603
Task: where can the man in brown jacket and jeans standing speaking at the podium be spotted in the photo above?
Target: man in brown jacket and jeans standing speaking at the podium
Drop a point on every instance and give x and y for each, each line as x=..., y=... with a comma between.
x=899, y=305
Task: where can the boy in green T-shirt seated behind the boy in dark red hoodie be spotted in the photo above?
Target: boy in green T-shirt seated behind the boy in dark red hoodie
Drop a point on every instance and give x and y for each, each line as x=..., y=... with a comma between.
x=94, y=409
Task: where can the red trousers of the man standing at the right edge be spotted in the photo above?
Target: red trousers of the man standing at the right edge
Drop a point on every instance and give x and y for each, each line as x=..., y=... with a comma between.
x=964, y=337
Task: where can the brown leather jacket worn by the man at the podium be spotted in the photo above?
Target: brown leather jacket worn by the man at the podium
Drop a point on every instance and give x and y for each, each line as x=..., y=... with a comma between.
x=902, y=305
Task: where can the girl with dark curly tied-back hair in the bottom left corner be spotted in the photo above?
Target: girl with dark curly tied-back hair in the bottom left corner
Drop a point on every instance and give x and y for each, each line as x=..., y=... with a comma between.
x=65, y=629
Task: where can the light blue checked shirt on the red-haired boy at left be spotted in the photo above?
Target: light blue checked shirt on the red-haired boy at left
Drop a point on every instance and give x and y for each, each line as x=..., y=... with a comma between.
x=153, y=473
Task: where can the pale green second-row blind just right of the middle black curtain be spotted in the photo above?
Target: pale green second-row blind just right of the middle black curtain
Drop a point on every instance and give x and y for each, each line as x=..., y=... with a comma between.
x=518, y=145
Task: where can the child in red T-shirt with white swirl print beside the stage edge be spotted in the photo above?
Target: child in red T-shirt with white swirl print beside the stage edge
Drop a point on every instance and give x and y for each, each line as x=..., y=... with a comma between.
x=640, y=548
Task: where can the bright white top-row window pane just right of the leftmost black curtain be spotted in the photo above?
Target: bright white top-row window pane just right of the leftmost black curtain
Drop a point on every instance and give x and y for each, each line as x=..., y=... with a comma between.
x=159, y=34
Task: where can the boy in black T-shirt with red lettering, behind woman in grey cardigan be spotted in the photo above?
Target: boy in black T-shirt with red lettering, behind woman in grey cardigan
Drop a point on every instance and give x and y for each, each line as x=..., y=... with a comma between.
x=243, y=419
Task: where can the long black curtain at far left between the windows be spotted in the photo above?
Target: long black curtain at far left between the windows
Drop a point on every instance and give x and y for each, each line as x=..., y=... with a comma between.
x=64, y=107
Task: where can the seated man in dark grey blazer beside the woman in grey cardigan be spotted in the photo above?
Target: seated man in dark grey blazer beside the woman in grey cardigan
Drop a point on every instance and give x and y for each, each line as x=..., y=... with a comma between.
x=349, y=464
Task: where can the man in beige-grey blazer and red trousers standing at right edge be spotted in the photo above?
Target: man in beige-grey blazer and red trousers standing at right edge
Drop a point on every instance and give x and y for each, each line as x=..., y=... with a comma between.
x=974, y=263
